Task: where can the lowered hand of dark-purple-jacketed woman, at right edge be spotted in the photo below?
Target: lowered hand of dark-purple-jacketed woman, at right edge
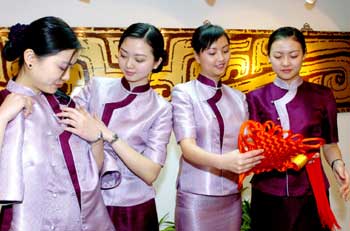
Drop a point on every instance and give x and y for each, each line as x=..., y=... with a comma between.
x=342, y=176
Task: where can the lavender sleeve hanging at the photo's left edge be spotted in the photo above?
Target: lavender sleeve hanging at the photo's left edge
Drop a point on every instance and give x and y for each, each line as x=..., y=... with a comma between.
x=11, y=165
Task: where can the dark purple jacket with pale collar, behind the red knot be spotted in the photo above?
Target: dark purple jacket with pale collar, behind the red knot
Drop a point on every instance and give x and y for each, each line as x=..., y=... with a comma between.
x=306, y=108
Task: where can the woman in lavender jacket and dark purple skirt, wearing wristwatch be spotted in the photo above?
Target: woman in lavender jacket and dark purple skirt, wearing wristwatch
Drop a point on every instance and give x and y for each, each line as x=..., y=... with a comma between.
x=137, y=123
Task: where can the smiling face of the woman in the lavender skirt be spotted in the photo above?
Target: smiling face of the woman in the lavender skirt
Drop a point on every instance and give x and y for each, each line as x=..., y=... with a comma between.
x=214, y=60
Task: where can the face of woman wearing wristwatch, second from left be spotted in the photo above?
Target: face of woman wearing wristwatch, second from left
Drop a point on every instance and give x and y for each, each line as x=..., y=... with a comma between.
x=136, y=61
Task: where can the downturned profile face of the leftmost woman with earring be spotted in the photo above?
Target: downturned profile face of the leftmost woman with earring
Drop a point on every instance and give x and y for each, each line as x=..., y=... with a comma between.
x=50, y=72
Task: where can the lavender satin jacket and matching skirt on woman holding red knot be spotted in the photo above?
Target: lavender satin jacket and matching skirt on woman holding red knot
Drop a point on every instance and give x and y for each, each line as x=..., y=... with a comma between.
x=210, y=113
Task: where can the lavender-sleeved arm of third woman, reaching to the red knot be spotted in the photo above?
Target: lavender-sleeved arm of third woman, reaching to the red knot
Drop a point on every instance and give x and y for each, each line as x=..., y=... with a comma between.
x=185, y=131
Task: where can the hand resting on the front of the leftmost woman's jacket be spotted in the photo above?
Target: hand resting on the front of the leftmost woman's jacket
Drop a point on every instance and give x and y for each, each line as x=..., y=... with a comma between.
x=81, y=123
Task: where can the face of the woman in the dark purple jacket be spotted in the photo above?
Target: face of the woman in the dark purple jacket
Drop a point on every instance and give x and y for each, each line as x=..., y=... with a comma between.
x=286, y=57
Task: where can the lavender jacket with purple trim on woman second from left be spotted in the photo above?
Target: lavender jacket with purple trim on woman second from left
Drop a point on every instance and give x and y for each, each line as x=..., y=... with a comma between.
x=143, y=120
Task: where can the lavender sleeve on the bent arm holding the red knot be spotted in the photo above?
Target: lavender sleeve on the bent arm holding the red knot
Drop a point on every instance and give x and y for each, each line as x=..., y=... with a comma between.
x=183, y=115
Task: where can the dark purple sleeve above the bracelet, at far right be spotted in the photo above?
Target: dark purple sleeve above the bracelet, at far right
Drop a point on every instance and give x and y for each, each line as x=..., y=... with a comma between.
x=329, y=125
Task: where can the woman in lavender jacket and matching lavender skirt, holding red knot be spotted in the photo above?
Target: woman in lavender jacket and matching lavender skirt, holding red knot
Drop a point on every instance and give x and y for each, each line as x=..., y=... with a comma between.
x=207, y=117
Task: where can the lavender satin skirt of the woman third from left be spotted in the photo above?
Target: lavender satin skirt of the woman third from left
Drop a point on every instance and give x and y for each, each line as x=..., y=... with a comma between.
x=207, y=213
